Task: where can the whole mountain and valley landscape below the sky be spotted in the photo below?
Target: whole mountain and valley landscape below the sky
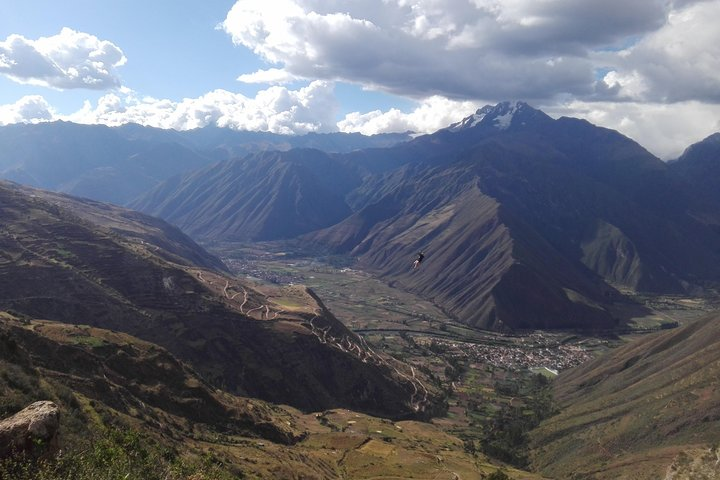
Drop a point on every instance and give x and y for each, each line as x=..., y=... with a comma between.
x=260, y=319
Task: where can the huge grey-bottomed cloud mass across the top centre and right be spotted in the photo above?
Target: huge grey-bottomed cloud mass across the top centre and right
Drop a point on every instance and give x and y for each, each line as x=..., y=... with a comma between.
x=470, y=49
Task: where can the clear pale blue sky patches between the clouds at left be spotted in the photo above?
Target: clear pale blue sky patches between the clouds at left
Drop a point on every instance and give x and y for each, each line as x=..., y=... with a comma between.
x=174, y=50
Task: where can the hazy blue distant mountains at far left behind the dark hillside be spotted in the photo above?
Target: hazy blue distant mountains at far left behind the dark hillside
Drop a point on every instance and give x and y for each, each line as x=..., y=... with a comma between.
x=90, y=160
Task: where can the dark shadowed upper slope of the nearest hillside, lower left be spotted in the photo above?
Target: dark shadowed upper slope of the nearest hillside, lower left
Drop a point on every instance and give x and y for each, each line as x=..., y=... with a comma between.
x=127, y=375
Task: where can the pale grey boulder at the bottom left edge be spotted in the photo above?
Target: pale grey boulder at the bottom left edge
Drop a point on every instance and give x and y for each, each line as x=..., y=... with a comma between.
x=36, y=425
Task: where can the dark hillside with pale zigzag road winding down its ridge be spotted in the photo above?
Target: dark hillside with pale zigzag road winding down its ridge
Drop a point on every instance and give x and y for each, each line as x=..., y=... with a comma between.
x=281, y=345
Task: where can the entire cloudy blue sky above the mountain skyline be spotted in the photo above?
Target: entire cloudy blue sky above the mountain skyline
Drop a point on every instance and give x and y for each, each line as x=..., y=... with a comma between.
x=648, y=68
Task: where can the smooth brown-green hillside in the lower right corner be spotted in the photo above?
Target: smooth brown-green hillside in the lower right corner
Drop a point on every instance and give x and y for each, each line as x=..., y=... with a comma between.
x=646, y=410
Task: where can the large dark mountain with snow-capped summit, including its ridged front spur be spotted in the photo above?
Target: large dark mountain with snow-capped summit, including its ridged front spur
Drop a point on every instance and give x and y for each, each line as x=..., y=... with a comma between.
x=581, y=209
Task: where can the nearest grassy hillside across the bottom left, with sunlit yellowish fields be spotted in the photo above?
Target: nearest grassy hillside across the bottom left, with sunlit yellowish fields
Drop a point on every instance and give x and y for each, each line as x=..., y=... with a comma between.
x=130, y=409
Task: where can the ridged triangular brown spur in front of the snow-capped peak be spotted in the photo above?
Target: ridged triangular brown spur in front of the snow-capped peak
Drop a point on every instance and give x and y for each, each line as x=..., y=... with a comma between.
x=484, y=263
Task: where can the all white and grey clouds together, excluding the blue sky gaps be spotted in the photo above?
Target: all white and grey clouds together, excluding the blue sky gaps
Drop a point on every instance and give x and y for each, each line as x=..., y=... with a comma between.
x=649, y=69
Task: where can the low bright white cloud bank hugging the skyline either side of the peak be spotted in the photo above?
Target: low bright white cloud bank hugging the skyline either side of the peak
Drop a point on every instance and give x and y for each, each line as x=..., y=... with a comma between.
x=665, y=130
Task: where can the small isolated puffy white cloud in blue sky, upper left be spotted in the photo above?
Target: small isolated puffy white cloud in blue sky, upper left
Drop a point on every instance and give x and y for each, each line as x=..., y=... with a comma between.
x=70, y=59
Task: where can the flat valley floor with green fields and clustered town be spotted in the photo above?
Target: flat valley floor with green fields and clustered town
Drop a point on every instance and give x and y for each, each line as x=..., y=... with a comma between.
x=493, y=382
